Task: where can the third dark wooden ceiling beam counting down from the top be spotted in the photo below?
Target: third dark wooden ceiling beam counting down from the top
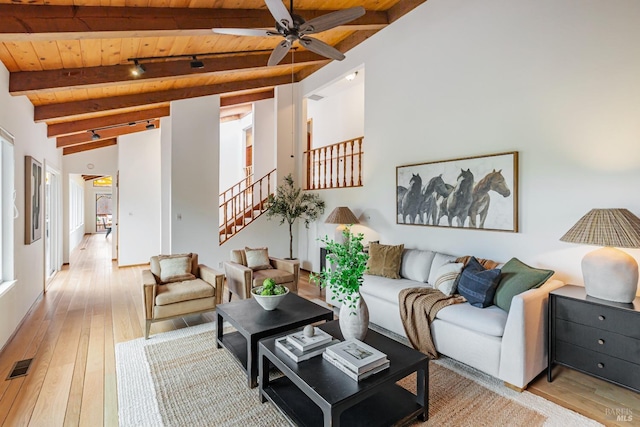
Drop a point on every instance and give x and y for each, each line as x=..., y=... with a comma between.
x=76, y=108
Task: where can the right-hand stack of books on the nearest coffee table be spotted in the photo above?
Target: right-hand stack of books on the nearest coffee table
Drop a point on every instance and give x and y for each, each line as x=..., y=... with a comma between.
x=356, y=359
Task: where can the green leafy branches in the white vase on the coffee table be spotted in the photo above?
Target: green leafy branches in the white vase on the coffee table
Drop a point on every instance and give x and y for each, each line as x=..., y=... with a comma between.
x=348, y=263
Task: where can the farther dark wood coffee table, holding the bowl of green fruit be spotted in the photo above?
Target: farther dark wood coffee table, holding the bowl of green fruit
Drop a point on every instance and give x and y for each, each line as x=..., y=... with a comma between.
x=252, y=323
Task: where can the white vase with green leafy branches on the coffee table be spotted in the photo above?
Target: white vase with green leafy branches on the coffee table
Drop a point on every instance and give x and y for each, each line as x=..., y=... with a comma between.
x=347, y=265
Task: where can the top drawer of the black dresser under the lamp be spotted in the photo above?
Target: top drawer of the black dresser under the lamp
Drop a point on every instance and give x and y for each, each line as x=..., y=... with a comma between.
x=598, y=316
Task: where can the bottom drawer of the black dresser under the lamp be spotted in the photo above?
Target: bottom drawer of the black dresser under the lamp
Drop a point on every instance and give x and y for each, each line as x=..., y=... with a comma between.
x=598, y=364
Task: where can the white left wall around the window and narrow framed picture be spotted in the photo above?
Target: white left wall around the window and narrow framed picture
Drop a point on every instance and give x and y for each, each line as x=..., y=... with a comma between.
x=16, y=117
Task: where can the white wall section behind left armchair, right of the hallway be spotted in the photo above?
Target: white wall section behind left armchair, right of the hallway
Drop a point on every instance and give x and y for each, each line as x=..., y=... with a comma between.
x=139, y=203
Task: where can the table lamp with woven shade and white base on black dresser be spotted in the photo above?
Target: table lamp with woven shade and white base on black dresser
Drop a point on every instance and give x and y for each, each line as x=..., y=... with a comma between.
x=608, y=273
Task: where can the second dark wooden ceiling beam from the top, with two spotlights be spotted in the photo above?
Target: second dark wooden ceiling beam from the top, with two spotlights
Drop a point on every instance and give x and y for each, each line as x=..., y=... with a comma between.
x=32, y=82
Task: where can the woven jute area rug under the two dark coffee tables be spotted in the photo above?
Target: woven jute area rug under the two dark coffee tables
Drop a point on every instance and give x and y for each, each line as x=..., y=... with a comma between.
x=179, y=378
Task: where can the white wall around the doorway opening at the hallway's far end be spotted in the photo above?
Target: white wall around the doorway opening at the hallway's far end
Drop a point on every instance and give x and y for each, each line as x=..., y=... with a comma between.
x=102, y=161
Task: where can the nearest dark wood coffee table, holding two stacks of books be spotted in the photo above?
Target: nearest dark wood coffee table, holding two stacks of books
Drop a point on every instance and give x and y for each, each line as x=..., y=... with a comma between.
x=316, y=393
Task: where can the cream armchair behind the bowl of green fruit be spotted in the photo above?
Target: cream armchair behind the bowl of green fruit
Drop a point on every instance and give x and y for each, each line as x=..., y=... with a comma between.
x=247, y=271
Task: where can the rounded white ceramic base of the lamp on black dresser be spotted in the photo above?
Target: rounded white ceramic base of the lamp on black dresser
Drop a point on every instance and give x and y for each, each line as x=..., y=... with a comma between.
x=610, y=274
